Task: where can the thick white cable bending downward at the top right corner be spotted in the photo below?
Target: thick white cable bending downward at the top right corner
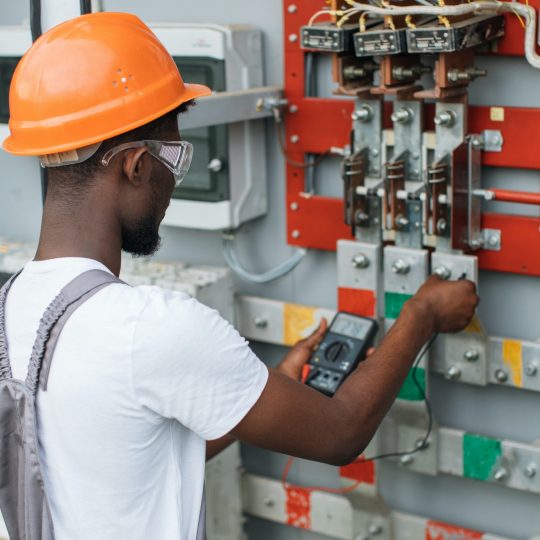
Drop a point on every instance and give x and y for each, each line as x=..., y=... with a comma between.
x=495, y=6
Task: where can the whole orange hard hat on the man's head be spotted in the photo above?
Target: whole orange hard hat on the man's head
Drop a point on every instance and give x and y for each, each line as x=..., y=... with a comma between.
x=89, y=79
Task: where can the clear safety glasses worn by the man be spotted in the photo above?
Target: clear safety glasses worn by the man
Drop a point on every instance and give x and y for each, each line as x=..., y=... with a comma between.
x=175, y=155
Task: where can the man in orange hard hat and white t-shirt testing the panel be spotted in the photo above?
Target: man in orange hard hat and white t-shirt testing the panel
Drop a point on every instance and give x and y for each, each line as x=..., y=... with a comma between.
x=143, y=377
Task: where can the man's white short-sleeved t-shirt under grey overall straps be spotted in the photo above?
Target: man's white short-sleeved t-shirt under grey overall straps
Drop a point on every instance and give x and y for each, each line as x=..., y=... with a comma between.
x=140, y=378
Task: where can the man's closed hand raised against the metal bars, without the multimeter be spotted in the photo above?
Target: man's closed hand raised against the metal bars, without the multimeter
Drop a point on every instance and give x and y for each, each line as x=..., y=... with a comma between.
x=450, y=304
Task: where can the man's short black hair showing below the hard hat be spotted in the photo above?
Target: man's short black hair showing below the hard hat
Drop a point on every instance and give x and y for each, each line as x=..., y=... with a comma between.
x=81, y=174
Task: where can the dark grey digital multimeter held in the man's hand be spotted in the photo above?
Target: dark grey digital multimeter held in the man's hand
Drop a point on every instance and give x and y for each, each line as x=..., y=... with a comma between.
x=343, y=347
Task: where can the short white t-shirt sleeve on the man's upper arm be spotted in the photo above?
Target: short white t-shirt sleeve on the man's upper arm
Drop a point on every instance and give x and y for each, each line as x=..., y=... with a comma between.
x=188, y=363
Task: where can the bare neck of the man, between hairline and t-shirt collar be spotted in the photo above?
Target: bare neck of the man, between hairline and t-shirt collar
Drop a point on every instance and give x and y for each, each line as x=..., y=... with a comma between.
x=85, y=229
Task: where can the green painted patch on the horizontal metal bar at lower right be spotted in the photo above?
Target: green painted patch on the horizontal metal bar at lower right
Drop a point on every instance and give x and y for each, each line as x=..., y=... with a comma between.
x=480, y=456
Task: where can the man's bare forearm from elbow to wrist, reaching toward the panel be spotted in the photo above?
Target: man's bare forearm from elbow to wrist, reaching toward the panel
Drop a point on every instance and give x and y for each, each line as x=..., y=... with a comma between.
x=369, y=392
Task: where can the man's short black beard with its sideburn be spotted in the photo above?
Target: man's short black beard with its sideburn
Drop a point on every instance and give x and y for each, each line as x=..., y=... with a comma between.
x=143, y=239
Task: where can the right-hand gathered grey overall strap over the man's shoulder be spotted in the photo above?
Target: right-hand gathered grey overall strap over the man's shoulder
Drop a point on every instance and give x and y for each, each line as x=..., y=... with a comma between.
x=74, y=294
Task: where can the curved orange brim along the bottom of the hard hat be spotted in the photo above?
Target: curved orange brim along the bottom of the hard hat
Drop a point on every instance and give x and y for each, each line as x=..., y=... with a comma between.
x=191, y=92
